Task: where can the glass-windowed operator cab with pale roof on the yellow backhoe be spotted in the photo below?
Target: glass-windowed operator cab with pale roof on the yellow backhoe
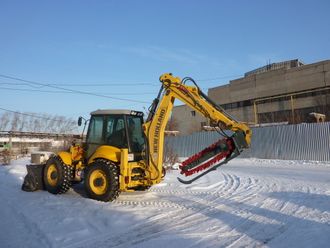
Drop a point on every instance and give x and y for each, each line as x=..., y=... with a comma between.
x=118, y=128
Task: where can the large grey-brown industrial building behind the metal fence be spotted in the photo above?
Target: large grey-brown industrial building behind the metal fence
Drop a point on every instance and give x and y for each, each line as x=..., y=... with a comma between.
x=285, y=92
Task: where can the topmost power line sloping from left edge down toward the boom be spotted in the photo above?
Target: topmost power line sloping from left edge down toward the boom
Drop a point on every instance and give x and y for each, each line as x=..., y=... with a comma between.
x=70, y=90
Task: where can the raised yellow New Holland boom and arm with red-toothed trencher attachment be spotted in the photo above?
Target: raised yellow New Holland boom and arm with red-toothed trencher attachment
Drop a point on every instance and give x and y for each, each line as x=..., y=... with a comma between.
x=211, y=157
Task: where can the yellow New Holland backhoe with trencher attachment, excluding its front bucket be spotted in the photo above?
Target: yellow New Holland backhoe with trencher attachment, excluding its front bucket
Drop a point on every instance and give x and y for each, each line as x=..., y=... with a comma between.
x=122, y=152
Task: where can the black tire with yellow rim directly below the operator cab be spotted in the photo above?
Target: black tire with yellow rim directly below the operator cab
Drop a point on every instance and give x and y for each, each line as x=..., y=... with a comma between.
x=102, y=180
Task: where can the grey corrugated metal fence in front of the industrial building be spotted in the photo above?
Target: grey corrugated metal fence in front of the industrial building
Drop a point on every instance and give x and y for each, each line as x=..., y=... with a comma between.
x=289, y=142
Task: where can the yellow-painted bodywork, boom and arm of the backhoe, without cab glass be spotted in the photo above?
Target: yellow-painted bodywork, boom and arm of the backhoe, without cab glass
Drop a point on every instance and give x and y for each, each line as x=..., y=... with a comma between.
x=148, y=170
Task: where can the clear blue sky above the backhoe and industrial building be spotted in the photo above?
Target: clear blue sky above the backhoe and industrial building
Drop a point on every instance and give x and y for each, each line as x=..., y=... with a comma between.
x=120, y=48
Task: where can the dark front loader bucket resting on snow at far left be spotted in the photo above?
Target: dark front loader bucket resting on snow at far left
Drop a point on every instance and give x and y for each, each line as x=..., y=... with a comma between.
x=34, y=178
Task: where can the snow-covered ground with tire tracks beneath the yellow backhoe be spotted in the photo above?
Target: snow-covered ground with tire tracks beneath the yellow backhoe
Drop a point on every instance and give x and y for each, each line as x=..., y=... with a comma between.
x=246, y=203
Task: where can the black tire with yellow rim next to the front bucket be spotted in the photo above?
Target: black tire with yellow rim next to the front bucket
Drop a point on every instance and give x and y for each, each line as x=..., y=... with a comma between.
x=57, y=176
